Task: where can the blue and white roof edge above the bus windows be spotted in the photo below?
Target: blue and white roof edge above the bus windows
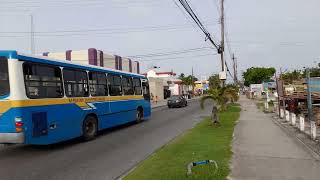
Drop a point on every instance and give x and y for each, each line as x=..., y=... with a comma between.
x=41, y=59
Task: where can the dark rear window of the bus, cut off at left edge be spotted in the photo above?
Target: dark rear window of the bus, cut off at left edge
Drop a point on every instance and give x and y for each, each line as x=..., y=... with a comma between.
x=4, y=77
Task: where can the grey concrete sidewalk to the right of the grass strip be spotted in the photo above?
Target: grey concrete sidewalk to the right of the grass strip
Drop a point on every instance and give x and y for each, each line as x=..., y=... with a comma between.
x=263, y=151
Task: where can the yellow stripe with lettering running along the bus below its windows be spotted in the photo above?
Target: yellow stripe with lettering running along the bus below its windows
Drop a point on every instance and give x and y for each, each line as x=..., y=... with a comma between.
x=79, y=101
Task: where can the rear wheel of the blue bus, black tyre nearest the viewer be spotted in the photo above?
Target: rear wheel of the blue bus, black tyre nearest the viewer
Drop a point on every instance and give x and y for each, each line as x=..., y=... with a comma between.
x=90, y=127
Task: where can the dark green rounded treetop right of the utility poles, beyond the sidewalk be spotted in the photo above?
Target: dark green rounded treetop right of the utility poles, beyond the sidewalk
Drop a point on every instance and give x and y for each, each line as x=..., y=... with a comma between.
x=257, y=75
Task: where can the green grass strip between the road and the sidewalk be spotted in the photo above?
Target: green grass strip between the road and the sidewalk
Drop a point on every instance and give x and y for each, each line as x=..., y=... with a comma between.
x=203, y=142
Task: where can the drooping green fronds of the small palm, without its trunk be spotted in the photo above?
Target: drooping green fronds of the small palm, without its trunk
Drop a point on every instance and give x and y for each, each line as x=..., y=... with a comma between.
x=221, y=96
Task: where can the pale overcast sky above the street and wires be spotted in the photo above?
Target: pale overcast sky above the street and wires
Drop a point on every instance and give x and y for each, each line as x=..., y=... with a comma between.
x=269, y=33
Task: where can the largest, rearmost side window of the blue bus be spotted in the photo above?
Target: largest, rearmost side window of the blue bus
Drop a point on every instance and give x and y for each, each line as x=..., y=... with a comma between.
x=42, y=81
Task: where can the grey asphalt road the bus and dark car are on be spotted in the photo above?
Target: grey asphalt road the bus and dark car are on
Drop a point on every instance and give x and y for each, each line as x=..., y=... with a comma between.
x=111, y=155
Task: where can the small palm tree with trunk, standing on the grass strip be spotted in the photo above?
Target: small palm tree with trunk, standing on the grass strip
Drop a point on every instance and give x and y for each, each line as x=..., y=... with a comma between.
x=220, y=98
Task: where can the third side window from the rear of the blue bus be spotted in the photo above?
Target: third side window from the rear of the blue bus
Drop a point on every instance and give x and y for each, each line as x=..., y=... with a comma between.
x=98, y=84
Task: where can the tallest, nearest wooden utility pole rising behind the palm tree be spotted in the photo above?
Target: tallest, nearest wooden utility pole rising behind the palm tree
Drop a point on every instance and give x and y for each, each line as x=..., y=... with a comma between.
x=222, y=45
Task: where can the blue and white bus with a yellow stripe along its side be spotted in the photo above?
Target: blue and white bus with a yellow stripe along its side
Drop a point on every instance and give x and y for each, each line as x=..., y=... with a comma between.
x=45, y=101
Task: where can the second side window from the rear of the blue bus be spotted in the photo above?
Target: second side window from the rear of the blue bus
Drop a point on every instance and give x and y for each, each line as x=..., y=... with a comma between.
x=75, y=83
